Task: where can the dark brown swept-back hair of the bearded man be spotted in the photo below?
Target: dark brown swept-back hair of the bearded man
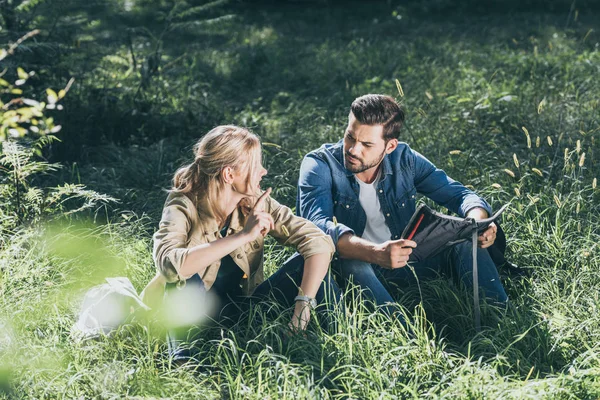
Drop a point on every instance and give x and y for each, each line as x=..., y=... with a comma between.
x=377, y=109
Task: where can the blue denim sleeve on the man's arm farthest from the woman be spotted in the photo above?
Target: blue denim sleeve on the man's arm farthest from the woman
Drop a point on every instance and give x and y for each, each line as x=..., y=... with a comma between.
x=435, y=184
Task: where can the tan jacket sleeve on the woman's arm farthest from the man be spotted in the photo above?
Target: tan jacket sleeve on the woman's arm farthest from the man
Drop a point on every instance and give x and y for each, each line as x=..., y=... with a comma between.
x=171, y=239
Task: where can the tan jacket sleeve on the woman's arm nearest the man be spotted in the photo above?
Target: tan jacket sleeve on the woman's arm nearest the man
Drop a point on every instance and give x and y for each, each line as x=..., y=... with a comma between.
x=291, y=230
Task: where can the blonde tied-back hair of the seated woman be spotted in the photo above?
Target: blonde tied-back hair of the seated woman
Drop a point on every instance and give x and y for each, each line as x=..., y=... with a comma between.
x=224, y=146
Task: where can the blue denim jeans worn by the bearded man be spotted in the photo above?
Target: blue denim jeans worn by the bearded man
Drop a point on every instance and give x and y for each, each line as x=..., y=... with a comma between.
x=375, y=280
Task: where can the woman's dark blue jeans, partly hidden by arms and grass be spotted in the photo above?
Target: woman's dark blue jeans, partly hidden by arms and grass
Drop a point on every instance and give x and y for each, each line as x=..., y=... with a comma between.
x=281, y=287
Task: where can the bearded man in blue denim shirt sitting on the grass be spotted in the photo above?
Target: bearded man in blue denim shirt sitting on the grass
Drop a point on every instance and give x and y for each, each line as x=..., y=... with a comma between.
x=361, y=191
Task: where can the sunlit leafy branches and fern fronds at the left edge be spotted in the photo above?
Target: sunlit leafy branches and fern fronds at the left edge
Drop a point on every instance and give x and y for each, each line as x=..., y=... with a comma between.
x=24, y=133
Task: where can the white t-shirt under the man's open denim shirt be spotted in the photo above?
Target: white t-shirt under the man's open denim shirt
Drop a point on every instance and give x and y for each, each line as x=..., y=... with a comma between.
x=376, y=230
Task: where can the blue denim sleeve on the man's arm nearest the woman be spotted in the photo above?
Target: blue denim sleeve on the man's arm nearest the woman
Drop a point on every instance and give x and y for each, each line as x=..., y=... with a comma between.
x=315, y=201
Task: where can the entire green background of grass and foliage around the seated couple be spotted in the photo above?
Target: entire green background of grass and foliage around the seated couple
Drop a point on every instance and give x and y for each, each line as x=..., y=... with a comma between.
x=101, y=101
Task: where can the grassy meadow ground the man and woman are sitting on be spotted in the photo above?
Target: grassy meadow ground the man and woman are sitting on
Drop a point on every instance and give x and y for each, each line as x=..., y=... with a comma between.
x=506, y=102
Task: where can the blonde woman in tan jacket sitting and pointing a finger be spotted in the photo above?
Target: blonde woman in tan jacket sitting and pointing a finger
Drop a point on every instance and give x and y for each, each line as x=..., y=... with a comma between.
x=212, y=231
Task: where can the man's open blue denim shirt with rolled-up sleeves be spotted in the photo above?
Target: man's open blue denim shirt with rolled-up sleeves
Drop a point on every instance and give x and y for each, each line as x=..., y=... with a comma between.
x=328, y=192
